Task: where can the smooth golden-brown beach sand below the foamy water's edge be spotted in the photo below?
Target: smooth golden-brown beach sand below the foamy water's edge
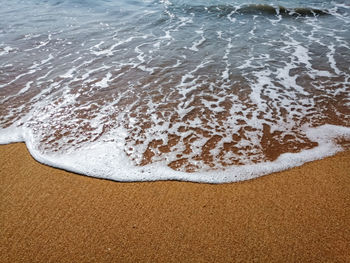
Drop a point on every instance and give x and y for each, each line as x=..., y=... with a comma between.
x=49, y=215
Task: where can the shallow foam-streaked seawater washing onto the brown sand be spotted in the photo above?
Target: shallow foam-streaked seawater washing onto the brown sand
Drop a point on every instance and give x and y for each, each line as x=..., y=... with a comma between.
x=206, y=91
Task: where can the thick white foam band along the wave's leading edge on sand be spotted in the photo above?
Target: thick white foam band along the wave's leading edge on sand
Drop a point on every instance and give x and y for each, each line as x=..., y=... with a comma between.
x=105, y=159
